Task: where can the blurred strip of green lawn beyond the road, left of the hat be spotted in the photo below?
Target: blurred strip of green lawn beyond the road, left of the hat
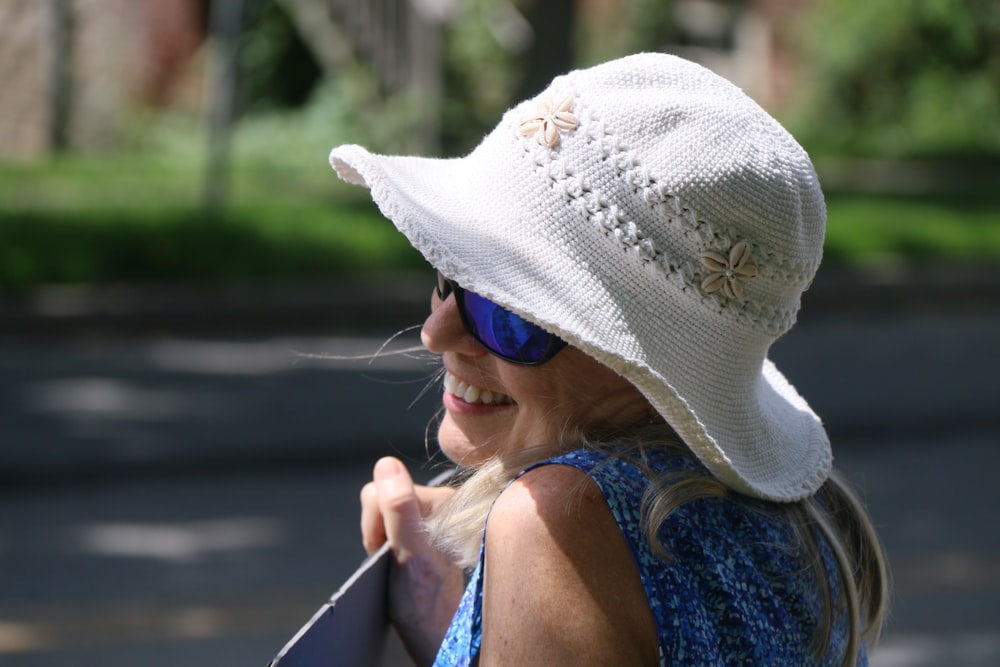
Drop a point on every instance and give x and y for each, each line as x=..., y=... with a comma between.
x=136, y=219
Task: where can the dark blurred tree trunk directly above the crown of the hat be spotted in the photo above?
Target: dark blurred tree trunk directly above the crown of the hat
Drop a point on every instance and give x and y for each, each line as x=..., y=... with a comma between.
x=551, y=51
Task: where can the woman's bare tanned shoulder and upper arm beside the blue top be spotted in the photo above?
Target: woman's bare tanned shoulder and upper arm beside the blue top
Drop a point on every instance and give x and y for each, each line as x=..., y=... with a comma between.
x=559, y=574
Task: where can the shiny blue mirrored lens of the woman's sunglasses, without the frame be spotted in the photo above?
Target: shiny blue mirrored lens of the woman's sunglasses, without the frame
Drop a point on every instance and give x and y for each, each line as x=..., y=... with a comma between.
x=504, y=333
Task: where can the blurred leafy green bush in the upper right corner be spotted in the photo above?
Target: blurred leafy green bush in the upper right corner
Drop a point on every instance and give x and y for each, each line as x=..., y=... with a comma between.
x=901, y=79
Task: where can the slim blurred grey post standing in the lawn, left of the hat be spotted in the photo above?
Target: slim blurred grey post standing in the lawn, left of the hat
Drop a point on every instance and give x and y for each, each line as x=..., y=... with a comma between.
x=224, y=28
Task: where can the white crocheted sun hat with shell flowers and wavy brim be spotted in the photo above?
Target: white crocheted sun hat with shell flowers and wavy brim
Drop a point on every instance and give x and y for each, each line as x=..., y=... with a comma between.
x=652, y=215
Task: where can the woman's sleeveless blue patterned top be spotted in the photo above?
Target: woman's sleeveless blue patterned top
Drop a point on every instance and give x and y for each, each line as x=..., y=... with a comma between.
x=735, y=591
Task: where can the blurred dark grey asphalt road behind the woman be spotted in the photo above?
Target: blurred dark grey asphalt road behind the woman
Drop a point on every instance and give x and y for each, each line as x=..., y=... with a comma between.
x=192, y=500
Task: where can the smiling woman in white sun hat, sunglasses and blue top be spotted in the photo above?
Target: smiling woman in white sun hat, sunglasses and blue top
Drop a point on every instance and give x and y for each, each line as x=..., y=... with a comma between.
x=642, y=485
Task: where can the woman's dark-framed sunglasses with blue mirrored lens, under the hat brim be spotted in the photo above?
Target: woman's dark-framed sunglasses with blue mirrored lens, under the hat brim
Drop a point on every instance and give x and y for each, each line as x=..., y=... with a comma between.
x=503, y=333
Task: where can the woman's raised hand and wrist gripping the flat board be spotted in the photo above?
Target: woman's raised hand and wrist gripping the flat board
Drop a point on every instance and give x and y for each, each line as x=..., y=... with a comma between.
x=425, y=586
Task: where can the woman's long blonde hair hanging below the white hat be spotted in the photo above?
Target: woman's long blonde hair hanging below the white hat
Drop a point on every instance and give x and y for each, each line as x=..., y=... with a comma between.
x=834, y=514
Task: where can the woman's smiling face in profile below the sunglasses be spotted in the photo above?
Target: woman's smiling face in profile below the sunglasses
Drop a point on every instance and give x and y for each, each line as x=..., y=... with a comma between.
x=496, y=408
